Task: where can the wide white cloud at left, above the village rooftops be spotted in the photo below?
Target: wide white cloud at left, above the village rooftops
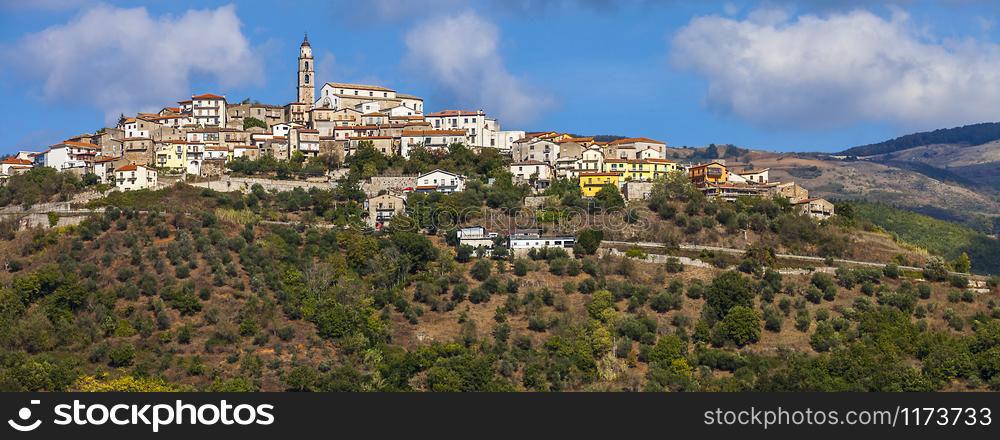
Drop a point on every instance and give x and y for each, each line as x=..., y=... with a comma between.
x=124, y=60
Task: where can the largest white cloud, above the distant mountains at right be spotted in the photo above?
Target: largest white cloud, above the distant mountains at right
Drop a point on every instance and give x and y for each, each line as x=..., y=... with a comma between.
x=821, y=72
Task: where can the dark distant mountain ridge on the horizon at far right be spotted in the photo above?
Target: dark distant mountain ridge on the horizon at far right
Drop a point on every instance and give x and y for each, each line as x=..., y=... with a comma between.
x=975, y=134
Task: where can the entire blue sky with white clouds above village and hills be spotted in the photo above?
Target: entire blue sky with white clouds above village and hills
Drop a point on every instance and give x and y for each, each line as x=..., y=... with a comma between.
x=816, y=75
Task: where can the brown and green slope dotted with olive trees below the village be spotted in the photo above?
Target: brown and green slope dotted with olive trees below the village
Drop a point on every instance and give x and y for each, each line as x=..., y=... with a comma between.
x=195, y=289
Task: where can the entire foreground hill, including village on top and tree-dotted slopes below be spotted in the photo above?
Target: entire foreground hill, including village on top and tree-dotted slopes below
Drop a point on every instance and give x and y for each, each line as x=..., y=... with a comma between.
x=354, y=240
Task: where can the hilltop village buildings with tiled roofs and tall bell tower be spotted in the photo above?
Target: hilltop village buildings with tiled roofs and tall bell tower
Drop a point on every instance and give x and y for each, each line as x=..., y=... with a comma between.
x=201, y=138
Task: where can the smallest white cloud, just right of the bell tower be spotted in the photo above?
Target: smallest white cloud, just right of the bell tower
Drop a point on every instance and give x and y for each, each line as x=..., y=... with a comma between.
x=460, y=55
